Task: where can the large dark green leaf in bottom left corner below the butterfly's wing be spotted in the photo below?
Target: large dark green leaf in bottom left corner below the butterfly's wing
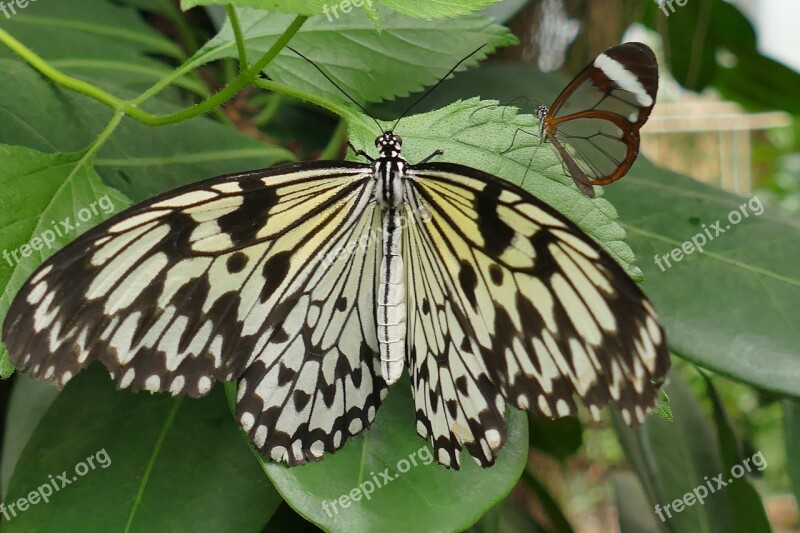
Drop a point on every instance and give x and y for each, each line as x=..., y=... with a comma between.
x=170, y=464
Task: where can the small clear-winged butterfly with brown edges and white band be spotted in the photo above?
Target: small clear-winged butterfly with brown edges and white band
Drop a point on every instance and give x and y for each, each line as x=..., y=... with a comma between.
x=594, y=123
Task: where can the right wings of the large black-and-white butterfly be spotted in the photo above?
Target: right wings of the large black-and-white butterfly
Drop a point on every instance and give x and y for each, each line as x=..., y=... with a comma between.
x=512, y=302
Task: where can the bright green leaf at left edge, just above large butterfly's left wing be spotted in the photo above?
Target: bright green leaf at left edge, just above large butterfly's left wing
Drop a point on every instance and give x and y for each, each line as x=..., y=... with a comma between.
x=46, y=200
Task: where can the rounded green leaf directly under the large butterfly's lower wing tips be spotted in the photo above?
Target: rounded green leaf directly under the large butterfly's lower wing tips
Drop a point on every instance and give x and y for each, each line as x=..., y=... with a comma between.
x=422, y=495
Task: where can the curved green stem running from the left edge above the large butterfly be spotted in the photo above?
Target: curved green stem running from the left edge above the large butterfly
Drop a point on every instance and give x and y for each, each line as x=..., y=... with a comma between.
x=129, y=108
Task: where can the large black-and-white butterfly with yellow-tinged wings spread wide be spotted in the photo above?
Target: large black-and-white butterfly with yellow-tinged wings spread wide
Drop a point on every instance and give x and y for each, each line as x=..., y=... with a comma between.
x=312, y=284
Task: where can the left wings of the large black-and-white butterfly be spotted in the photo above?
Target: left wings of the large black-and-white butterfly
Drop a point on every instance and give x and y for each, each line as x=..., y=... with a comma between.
x=238, y=277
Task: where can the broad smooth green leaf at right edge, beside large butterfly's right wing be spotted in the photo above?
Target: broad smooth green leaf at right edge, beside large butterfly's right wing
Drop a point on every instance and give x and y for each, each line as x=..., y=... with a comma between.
x=729, y=308
